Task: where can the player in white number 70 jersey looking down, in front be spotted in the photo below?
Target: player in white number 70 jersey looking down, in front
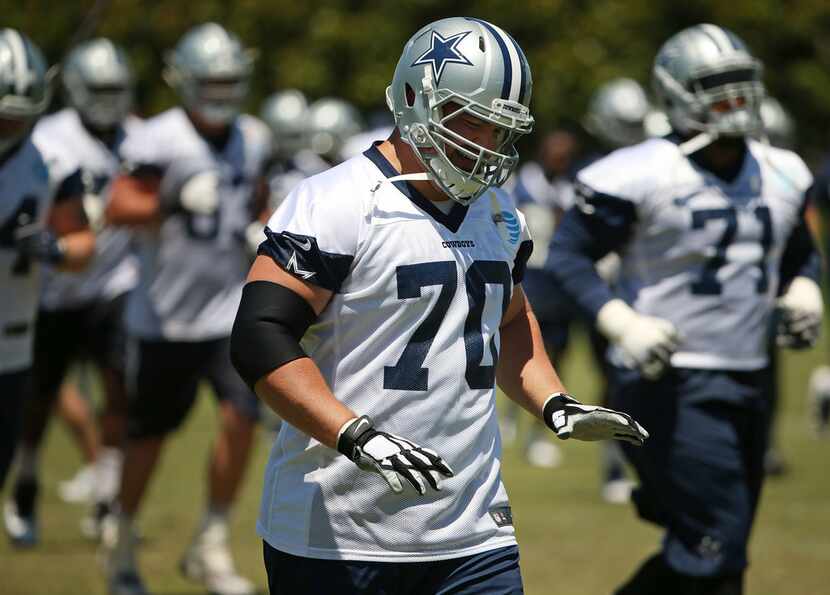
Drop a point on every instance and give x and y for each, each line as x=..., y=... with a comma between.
x=400, y=272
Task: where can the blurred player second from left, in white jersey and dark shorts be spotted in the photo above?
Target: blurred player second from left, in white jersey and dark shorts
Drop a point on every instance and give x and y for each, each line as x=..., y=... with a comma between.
x=81, y=314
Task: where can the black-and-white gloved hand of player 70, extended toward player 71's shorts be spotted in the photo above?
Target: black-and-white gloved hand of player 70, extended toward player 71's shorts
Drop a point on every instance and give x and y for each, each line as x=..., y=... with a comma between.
x=569, y=418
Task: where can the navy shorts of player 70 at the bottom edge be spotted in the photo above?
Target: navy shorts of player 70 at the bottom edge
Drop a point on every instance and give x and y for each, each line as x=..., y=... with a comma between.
x=495, y=572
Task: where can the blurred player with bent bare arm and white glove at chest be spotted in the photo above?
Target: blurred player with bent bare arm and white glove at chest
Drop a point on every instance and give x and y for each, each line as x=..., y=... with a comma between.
x=194, y=188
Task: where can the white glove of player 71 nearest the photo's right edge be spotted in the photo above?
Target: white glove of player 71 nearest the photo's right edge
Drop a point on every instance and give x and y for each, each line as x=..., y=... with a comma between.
x=801, y=309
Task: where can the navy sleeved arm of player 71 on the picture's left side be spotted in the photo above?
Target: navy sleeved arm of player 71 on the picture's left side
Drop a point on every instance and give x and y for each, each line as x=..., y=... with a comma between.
x=597, y=225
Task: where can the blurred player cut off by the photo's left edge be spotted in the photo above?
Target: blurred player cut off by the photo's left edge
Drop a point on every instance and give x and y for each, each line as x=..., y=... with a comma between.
x=41, y=220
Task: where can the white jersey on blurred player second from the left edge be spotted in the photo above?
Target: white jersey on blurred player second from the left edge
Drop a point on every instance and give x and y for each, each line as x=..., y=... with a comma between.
x=68, y=146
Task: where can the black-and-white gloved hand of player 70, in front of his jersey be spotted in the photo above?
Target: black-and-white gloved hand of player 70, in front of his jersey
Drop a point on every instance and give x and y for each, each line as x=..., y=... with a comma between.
x=391, y=456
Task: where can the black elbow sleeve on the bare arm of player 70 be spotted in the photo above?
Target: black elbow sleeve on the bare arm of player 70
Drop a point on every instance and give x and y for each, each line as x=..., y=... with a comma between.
x=266, y=333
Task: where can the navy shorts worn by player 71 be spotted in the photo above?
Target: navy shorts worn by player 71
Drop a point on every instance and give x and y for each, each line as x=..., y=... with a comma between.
x=701, y=470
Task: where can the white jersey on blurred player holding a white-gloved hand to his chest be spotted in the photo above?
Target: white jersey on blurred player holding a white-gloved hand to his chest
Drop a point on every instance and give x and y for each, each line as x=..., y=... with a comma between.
x=192, y=267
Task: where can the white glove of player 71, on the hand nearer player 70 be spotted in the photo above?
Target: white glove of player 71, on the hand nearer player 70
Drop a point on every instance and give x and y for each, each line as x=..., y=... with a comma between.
x=646, y=342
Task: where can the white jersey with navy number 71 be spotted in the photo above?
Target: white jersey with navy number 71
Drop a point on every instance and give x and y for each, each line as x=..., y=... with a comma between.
x=704, y=253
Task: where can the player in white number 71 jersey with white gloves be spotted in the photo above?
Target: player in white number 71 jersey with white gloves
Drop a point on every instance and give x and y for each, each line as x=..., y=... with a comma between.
x=709, y=224
